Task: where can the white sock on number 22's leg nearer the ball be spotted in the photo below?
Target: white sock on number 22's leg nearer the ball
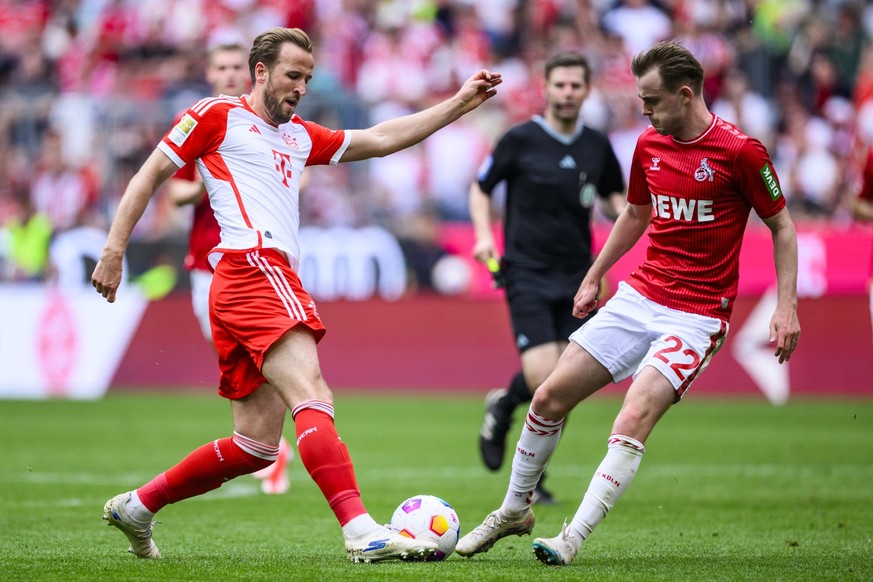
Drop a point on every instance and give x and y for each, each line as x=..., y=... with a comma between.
x=538, y=440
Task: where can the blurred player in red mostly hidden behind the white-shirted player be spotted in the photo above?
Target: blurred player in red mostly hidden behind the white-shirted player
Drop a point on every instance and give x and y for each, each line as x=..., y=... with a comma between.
x=227, y=72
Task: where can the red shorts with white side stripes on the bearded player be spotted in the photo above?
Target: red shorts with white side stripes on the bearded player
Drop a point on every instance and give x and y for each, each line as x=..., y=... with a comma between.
x=254, y=299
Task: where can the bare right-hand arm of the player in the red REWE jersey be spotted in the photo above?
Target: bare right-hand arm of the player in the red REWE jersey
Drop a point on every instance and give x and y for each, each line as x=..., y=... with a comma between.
x=784, y=325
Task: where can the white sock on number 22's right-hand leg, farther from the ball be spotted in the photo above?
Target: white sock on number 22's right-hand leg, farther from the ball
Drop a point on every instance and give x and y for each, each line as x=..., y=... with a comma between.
x=612, y=477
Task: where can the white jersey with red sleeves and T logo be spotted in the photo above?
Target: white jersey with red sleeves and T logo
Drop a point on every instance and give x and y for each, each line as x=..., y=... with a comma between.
x=251, y=170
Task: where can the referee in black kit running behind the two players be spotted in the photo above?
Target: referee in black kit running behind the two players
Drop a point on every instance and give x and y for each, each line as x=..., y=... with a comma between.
x=555, y=168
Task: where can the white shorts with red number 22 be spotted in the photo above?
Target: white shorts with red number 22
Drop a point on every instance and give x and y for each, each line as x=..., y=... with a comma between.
x=631, y=332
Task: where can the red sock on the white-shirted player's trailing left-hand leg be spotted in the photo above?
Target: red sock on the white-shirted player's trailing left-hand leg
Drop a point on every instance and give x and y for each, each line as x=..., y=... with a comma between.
x=204, y=469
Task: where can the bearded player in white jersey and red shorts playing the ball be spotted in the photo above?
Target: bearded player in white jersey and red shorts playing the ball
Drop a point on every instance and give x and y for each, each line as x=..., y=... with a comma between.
x=250, y=152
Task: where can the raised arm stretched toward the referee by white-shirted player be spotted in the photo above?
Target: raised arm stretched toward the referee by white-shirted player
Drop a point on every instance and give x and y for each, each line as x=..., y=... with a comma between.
x=400, y=133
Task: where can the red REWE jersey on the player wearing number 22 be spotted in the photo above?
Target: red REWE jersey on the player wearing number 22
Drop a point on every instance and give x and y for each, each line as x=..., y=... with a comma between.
x=701, y=192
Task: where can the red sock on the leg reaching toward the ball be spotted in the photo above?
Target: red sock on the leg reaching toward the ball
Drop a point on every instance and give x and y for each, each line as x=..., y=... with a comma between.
x=327, y=459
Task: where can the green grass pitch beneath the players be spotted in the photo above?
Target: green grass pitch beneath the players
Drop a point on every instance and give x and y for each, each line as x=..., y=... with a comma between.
x=727, y=490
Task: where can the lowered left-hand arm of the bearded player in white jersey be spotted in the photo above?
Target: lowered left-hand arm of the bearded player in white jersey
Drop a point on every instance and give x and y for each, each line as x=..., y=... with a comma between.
x=107, y=274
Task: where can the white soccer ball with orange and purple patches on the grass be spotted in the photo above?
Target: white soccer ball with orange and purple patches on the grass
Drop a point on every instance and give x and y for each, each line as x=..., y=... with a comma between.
x=426, y=517
